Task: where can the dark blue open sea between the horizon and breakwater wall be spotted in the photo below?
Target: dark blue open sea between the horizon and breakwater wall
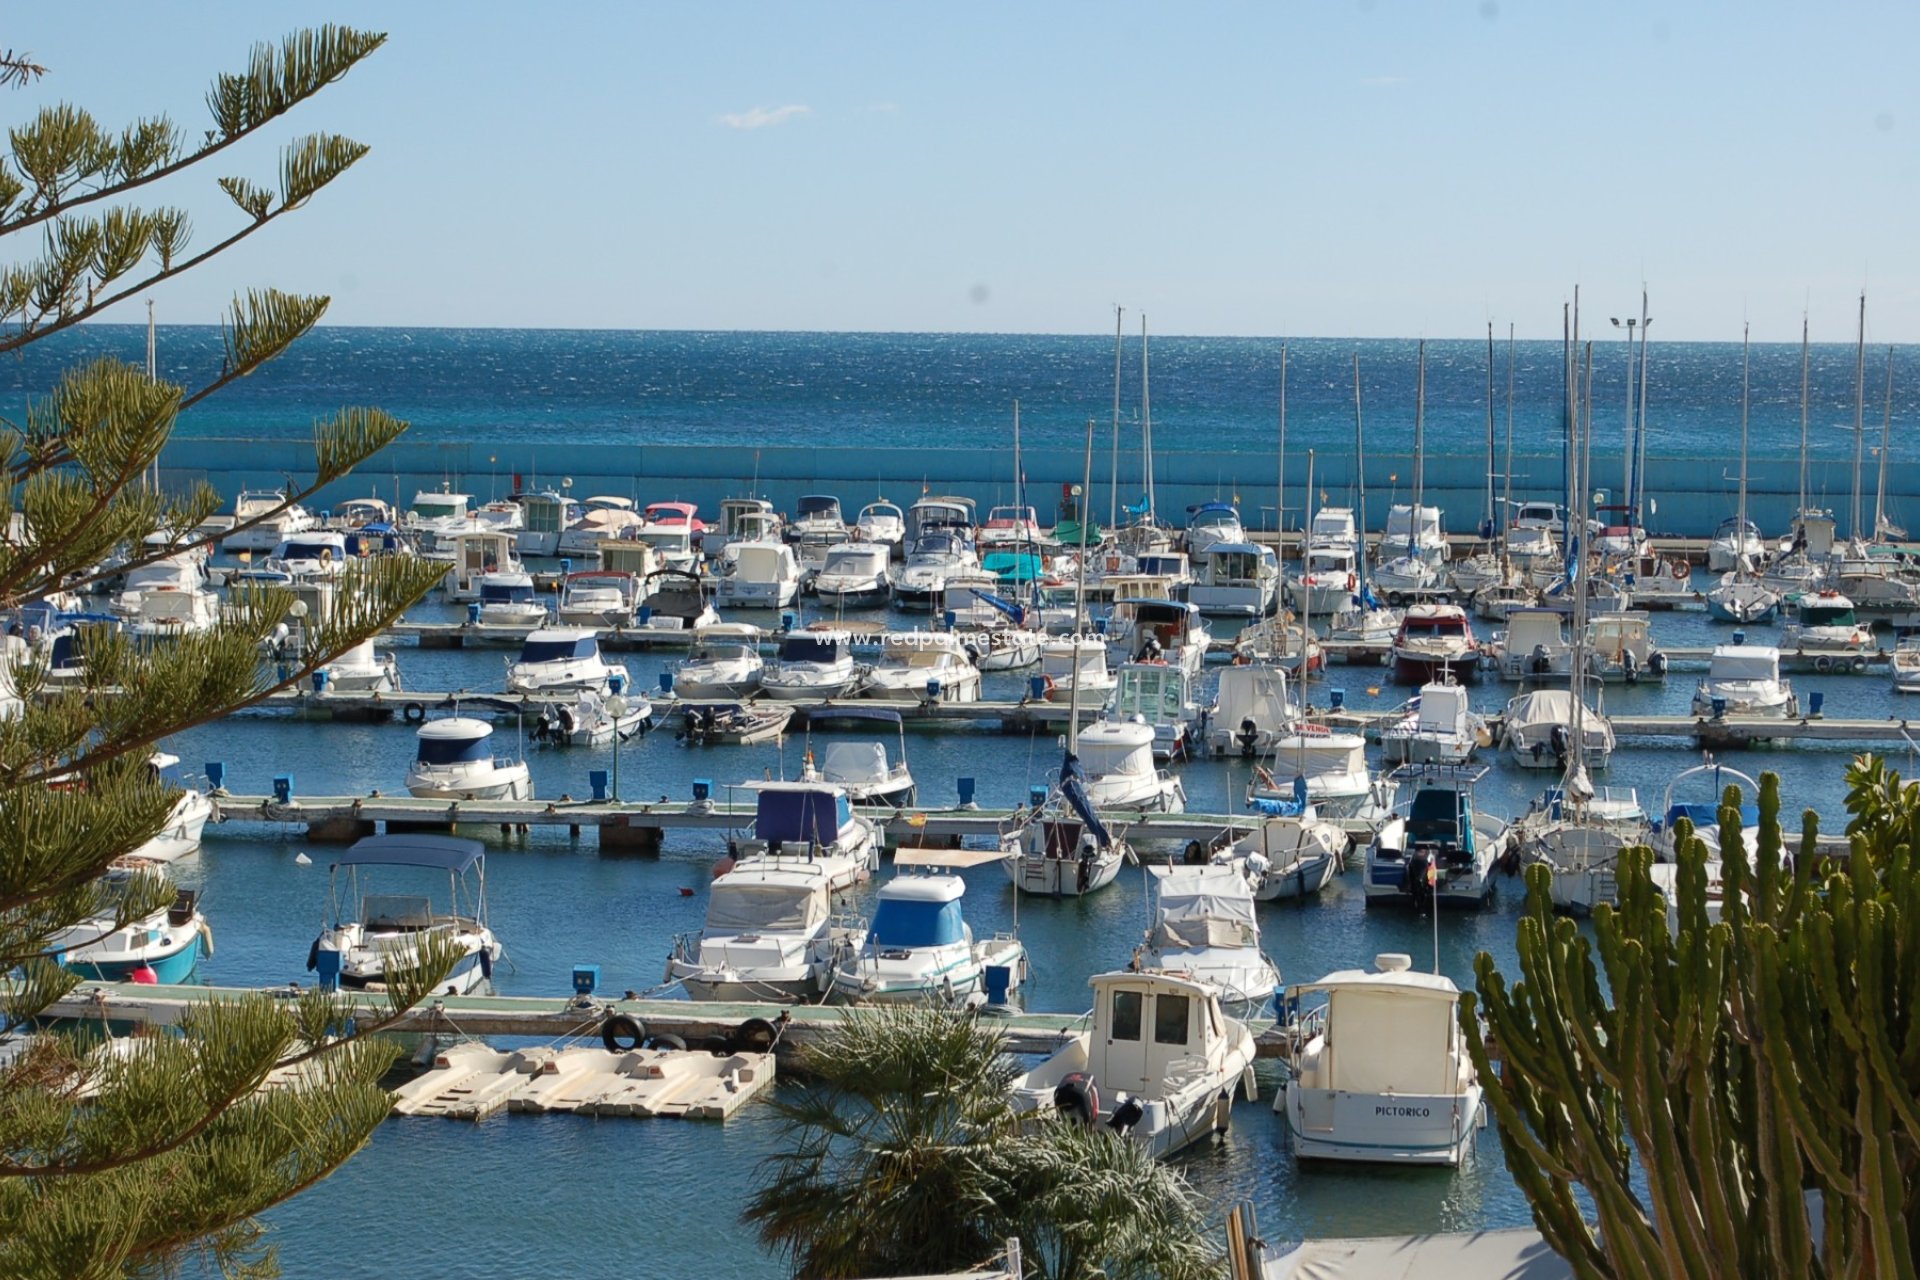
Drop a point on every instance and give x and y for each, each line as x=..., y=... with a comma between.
x=955, y=391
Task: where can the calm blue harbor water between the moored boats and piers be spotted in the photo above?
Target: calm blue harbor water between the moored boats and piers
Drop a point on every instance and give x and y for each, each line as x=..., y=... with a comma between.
x=619, y=1198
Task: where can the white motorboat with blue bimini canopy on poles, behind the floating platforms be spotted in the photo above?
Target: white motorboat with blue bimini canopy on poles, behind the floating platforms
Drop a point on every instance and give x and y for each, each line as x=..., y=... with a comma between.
x=368, y=932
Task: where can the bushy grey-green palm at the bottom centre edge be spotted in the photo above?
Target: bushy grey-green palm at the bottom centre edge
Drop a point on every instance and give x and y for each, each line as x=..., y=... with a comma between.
x=907, y=1158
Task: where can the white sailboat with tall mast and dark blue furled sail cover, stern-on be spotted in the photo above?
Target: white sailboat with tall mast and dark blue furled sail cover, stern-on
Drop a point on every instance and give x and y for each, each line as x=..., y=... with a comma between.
x=1063, y=847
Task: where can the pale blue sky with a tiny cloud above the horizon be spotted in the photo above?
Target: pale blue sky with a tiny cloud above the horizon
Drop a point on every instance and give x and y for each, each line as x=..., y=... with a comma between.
x=1332, y=170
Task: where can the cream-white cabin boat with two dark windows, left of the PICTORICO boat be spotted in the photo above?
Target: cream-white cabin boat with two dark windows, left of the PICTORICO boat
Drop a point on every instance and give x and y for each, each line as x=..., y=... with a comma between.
x=1161, y=1064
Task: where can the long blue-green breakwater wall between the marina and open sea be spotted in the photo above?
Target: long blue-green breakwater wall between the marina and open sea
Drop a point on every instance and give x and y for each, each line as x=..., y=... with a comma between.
x=1691, y=496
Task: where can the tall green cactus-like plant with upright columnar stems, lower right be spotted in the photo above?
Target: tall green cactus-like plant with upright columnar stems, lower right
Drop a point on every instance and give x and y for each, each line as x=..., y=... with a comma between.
x=1744, y=1095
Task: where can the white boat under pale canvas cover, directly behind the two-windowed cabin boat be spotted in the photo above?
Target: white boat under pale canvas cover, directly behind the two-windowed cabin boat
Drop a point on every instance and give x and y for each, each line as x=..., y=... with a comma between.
x=1205, y=930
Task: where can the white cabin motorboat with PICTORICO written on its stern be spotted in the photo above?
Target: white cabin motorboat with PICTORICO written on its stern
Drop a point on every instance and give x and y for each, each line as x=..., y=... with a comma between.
x=1399, y=1087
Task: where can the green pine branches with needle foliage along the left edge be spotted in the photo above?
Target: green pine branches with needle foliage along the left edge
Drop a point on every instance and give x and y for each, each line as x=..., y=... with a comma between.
x=158, y=1154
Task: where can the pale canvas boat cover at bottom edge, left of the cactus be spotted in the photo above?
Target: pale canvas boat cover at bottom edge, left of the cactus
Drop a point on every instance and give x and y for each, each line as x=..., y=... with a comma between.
x=1516, y=1254
